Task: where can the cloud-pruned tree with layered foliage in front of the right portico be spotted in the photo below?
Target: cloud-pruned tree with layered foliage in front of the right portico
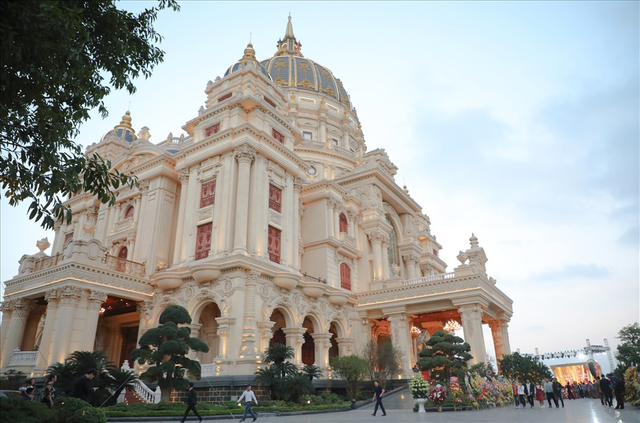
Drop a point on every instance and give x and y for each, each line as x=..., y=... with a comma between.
x=444, y=354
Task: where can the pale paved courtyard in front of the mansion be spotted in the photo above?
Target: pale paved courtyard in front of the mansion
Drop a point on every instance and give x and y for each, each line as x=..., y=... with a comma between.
x=399, y=410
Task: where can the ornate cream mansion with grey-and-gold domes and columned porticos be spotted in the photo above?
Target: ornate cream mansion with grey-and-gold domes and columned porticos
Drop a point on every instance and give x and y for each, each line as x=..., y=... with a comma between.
x=269, y=221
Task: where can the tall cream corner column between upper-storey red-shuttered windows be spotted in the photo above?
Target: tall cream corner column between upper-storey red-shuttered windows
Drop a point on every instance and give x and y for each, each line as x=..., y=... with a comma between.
x=245, y=155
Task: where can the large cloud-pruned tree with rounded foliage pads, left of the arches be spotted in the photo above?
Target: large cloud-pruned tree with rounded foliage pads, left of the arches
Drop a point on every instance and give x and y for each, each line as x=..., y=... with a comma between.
x=166, y=348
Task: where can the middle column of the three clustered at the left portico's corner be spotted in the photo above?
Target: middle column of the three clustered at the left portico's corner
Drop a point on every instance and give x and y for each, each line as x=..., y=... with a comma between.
x=69, y=297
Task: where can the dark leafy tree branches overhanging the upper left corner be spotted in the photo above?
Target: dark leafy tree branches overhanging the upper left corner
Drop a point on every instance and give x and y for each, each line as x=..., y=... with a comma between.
x=55, y=58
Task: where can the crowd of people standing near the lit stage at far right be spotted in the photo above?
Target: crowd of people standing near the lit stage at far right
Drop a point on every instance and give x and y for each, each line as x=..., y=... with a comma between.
x=602, y=387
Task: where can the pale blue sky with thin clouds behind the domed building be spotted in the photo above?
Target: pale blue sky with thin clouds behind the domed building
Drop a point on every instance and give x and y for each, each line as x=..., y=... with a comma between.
x=517, y=121
